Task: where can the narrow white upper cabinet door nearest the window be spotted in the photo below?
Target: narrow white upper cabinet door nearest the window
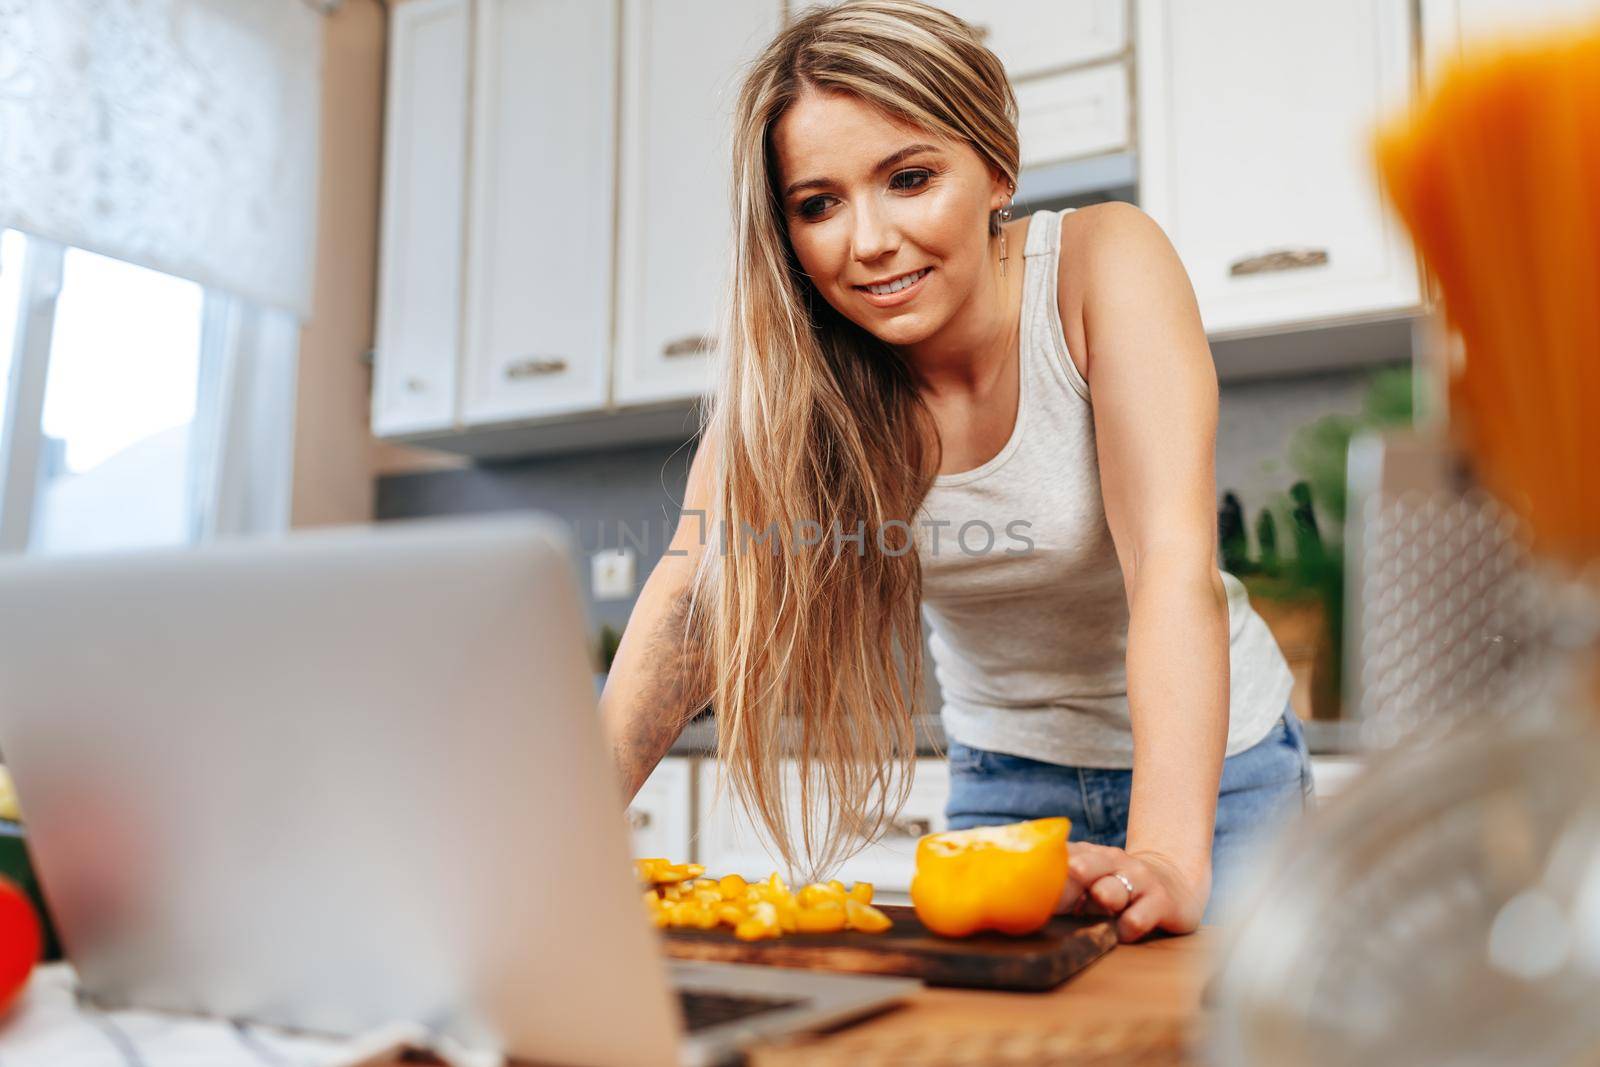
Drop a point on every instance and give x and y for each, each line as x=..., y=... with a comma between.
x=425, y=172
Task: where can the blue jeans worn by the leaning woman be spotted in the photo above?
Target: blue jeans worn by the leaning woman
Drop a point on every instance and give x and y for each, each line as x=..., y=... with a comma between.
x=1263, y=788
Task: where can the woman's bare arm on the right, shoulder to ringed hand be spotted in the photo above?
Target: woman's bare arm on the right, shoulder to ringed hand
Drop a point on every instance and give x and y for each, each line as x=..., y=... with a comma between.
x=1156, y=407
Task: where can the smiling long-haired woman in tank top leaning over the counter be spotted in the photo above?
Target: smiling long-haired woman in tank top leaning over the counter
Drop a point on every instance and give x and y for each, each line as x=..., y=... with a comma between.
x=1031, y=407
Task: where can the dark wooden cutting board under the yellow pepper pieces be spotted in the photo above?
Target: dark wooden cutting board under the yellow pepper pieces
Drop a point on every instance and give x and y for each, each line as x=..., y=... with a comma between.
x=1031, y=964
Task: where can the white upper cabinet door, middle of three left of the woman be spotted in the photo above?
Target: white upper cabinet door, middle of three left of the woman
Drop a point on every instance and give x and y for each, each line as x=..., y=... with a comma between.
x=538, y=318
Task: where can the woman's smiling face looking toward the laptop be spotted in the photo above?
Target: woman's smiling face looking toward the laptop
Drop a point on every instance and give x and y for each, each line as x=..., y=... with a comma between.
x=889, y=222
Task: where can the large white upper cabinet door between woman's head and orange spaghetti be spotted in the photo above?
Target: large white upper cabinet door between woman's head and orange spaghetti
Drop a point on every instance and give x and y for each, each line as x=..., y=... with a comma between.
x=1255, y=154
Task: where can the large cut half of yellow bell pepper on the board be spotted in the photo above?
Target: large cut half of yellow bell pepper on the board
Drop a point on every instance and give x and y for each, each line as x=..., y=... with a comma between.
x=998, y=877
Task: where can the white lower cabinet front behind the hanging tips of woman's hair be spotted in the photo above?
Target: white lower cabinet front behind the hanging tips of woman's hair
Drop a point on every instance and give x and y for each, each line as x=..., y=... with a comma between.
x=729, y=844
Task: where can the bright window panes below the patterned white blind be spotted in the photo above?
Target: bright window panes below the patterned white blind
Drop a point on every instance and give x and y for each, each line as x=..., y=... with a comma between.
x=113, y=402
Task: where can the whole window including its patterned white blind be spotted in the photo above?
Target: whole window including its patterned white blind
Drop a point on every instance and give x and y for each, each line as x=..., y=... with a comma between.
x=150, y=396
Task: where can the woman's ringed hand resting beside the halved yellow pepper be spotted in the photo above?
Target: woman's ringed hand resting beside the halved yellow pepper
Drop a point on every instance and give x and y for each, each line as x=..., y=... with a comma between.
x=1164, y=897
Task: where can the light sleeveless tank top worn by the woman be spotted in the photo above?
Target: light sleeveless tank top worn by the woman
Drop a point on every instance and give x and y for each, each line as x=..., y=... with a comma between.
x=1022, y=583
